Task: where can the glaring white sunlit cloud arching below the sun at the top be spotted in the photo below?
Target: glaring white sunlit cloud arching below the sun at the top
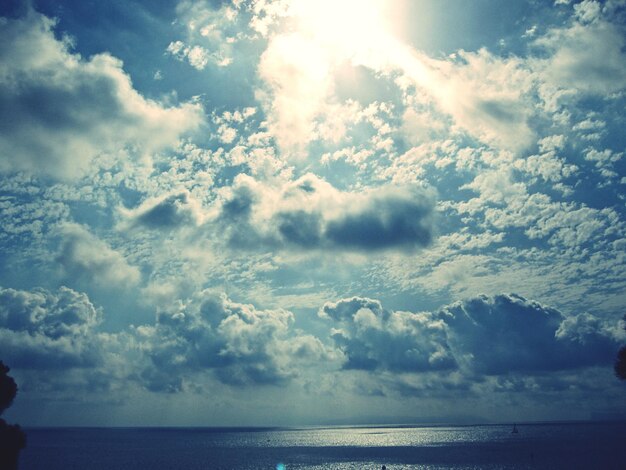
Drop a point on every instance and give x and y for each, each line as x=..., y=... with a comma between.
x=488, y=97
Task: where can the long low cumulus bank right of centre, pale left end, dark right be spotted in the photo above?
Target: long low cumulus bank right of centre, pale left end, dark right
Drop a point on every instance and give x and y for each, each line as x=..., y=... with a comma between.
x=485, y=335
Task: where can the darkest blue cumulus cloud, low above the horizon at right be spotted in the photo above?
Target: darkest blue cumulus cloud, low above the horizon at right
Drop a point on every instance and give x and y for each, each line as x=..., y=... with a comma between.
x=507, y=333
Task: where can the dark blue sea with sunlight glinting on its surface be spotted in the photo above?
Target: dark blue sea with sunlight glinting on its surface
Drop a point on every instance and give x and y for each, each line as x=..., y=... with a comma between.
x=545, y=446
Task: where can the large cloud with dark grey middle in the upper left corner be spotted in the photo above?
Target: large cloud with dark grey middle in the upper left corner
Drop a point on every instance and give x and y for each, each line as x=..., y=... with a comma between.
x=58, y=110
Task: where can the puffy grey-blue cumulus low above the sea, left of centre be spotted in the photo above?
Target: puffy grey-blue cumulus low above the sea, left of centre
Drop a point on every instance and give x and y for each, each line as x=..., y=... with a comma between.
x=241, y=344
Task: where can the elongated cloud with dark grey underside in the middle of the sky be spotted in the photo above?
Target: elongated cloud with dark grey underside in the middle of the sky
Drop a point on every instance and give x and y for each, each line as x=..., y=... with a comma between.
x=309, y=213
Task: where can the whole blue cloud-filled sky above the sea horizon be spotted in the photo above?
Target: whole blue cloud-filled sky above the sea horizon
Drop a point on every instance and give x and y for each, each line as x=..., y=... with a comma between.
x=290, y=212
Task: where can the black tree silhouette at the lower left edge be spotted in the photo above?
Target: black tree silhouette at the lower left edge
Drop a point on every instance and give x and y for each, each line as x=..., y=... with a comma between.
x=12, y=438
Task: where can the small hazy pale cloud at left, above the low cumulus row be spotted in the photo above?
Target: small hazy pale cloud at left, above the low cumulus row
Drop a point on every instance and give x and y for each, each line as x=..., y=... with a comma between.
x=85, y=257
